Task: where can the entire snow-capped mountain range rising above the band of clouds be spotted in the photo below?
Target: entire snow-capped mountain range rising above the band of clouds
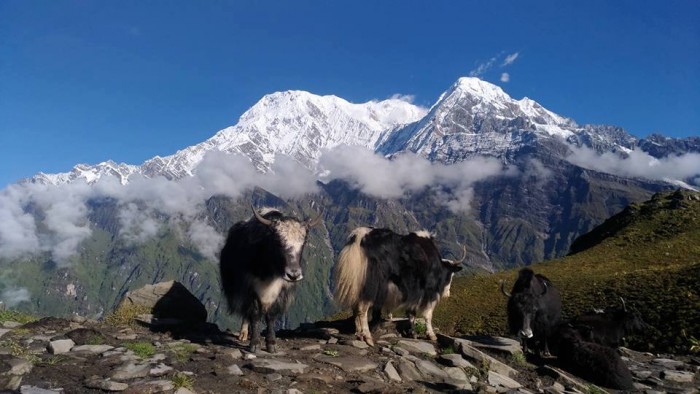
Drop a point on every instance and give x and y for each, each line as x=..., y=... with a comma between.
x=473, y=117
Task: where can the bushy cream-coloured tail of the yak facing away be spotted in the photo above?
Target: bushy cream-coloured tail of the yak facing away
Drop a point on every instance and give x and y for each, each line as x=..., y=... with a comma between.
x=350, y=271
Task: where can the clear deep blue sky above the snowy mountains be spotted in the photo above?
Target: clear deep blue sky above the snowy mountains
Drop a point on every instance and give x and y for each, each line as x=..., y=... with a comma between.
x=87, y=81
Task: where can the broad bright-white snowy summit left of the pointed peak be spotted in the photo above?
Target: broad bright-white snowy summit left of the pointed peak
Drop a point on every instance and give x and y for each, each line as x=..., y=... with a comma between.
x=295, y=123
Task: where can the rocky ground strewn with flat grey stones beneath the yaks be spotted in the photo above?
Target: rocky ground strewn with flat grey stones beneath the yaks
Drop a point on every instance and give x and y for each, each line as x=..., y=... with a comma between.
x=82, y=356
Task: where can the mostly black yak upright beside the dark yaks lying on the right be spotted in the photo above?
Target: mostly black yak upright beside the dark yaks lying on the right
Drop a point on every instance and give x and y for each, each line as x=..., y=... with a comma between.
x=534, y=309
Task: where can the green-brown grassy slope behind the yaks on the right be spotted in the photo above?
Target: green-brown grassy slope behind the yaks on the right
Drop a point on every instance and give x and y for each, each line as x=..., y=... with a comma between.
x=649, y=254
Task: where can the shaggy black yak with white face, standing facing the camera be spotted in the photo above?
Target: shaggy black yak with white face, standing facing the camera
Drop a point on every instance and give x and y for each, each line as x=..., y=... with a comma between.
x=260, y=265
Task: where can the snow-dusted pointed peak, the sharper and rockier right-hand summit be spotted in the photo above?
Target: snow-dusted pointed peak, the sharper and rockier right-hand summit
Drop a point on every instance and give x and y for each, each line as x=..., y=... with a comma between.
x=476, y=117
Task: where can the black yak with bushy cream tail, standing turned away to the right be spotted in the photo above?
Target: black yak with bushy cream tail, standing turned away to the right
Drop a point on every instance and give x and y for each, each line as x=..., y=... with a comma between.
x=382, y=269
